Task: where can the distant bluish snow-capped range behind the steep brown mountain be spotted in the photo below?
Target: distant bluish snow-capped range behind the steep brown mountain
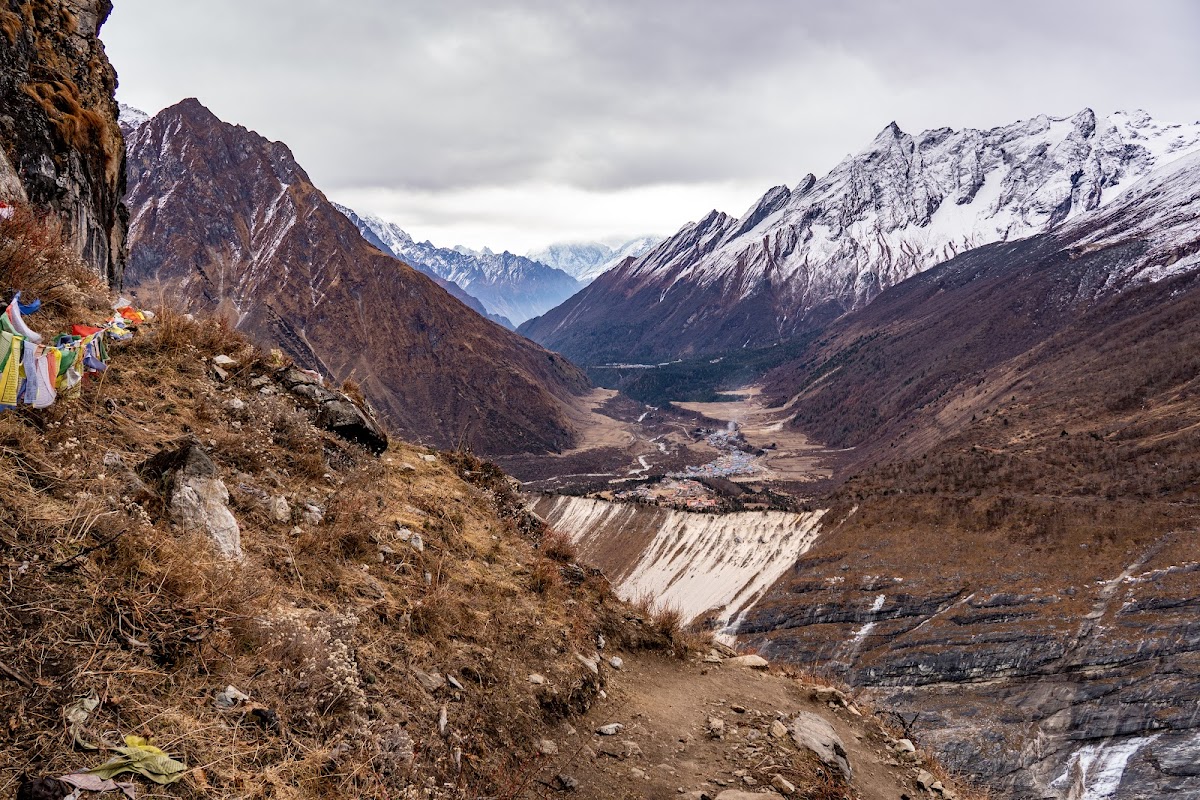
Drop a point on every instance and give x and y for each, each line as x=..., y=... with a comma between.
x=508, y=286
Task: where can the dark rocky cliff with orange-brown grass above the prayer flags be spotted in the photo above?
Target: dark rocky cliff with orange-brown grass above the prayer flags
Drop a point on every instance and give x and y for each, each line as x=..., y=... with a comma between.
x=61, y=146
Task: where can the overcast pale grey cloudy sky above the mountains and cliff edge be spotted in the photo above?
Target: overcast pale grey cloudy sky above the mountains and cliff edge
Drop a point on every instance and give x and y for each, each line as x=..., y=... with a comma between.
x=514, y=125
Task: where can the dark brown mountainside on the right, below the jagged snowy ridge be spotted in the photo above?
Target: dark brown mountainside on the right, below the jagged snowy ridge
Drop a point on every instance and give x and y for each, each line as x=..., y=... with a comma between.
x=1015, y=568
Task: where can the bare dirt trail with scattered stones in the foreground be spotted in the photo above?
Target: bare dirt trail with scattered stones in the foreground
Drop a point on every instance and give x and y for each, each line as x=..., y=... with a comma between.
x=668, y=750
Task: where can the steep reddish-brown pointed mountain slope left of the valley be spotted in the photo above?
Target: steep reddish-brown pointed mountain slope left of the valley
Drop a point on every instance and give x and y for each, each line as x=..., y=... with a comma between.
x=221, y=219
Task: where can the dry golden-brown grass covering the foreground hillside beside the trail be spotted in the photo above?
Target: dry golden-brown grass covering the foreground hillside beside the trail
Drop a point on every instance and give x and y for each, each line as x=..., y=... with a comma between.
x=325, y=623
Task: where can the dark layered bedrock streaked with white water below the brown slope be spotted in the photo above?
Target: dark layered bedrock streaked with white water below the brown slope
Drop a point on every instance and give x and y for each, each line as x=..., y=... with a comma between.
x=1072, y=690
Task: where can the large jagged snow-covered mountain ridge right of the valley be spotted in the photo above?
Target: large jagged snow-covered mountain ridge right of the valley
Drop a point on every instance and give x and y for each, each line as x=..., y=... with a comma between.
x=806, y=255
